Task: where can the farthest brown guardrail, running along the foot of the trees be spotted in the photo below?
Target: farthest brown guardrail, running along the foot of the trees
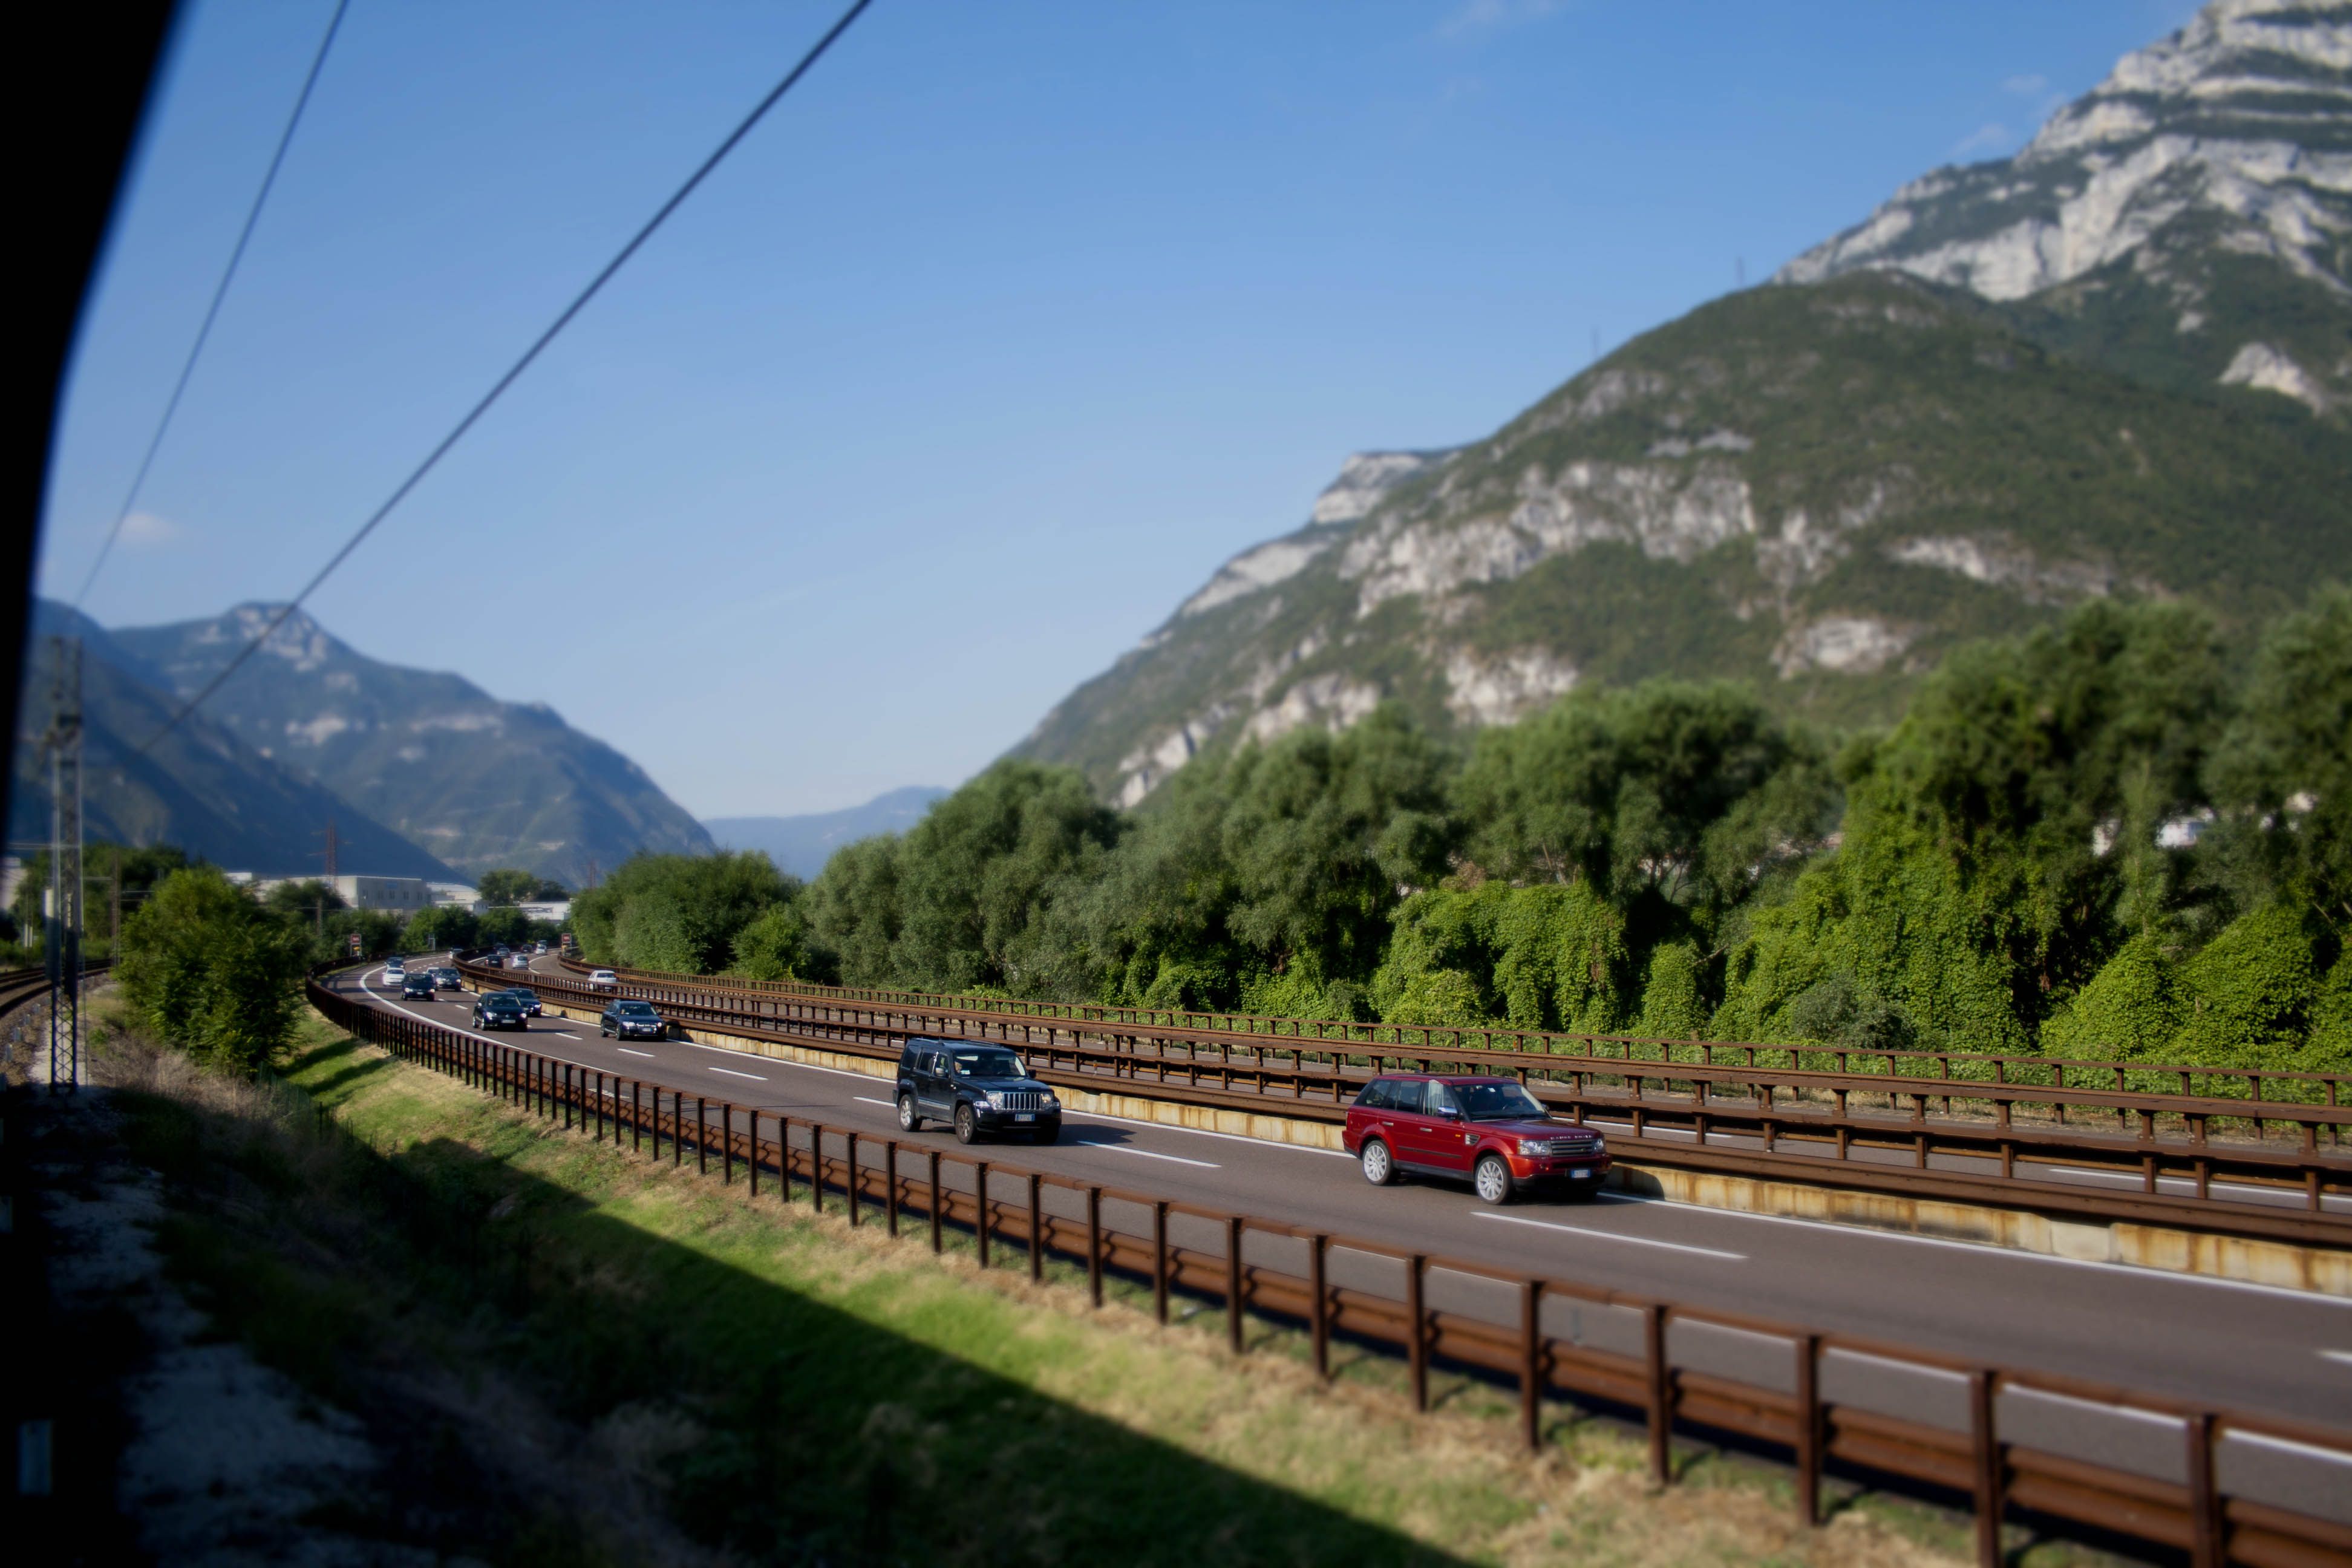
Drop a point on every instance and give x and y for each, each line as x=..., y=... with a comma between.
x=1629, y=1050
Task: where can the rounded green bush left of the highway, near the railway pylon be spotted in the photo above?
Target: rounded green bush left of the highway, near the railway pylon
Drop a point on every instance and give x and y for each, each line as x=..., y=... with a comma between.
x=213, y=972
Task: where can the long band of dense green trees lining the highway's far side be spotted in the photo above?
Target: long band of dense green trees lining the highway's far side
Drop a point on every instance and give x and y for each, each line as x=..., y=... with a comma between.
x=2111, y=838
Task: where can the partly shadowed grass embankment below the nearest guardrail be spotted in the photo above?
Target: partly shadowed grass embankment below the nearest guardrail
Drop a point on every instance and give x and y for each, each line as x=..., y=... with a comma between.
x=580, y=1355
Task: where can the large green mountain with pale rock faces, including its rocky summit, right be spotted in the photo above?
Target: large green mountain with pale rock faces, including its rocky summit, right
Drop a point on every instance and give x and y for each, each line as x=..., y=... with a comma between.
x=1822, y=485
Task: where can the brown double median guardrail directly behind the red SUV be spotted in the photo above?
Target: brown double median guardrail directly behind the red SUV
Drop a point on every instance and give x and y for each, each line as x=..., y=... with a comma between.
x=1812, y=1127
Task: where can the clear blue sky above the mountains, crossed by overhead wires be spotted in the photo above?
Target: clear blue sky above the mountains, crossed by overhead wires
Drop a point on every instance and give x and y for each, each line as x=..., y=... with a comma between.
x=973, y=363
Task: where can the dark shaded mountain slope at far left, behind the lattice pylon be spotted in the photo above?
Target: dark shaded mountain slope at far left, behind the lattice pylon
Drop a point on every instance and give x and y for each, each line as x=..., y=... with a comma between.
x=201, y=786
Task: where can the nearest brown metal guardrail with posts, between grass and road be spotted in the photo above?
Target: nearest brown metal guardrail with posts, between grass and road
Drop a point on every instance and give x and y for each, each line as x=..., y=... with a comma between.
x=2221, y=1496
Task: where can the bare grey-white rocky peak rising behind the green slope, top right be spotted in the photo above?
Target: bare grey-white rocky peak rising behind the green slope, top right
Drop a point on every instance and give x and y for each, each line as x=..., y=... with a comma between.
x=2189, y=222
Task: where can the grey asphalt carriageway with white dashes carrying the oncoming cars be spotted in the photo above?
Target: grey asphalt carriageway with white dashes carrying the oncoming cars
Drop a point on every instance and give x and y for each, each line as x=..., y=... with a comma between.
x=2233, y=1346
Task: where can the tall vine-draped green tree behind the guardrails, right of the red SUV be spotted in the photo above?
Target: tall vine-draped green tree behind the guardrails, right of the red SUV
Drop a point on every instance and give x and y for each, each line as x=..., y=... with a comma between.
x=1993, y=838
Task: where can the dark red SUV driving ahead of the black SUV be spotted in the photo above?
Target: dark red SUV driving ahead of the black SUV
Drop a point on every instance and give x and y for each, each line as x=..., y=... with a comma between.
x=1488, y=1130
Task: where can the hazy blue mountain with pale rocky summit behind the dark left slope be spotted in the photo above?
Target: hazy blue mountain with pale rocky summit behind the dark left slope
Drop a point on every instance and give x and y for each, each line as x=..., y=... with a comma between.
x=439, y=760
